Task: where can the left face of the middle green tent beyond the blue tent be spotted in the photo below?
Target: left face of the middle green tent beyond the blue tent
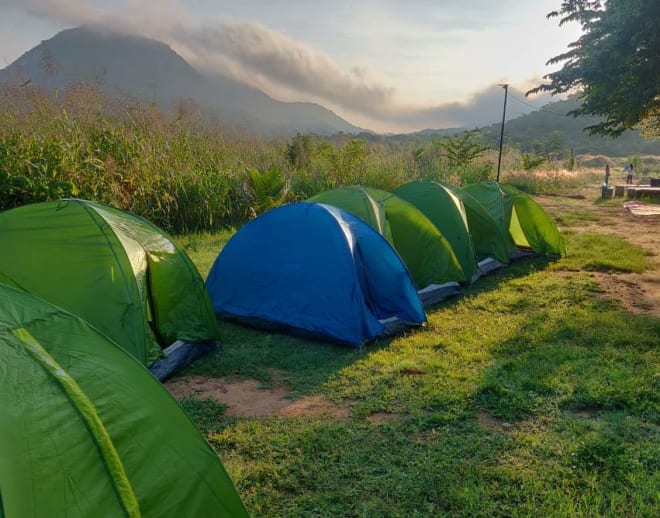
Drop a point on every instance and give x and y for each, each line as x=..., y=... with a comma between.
x=446, y=211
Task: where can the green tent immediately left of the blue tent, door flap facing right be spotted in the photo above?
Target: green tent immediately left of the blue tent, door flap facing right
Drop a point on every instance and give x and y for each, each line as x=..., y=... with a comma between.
x=114, y=269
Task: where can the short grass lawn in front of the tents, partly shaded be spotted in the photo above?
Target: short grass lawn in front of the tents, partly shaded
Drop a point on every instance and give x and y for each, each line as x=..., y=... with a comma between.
x=535, y=393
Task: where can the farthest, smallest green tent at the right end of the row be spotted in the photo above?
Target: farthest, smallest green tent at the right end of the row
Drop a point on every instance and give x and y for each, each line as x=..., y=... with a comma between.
x=528, y=224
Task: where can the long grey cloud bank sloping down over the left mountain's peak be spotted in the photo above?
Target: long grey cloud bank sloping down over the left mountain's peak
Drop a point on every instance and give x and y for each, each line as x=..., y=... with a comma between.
x=249, y=52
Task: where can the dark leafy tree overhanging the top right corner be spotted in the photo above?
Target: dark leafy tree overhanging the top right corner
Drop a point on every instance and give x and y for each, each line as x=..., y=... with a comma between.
x=614, y=66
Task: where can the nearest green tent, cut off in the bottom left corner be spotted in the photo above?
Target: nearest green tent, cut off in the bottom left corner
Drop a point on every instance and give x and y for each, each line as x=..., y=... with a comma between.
x=85, y=430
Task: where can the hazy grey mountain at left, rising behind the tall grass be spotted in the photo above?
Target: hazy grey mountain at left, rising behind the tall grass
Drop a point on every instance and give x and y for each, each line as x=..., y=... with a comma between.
x=129, y=65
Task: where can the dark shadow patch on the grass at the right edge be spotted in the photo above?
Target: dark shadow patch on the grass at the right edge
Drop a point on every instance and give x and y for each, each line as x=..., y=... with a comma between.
x=575, y=360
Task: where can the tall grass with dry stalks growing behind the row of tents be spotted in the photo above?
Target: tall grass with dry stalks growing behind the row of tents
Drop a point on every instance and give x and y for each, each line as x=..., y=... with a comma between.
x=186, y=173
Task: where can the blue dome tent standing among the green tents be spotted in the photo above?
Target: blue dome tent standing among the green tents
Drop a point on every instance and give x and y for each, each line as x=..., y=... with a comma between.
x=317, y=270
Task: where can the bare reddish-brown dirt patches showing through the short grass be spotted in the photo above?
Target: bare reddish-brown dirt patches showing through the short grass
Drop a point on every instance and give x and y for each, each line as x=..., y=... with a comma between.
x=639, y=293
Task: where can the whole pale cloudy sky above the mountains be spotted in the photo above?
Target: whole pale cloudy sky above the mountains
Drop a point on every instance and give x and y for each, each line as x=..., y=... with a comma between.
x=386, y=65
